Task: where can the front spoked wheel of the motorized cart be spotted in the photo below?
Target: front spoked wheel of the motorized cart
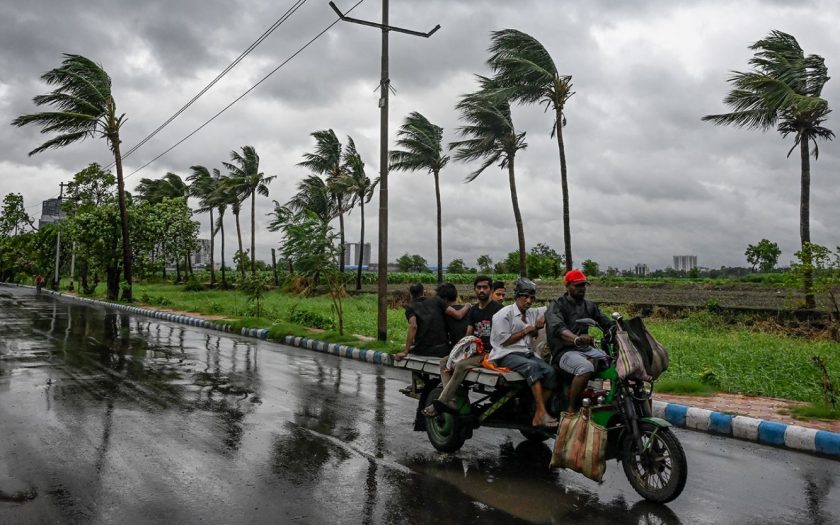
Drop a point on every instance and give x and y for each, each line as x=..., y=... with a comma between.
x=659, y=473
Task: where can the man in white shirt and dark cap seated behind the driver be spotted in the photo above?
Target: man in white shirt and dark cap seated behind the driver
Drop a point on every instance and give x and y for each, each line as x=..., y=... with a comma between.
x=511, y=338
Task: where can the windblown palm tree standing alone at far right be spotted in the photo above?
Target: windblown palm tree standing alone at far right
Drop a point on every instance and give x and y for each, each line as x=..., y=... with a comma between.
x=783, y=91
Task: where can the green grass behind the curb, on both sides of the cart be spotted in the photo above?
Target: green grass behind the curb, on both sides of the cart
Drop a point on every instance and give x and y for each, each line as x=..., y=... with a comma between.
x=703, y=347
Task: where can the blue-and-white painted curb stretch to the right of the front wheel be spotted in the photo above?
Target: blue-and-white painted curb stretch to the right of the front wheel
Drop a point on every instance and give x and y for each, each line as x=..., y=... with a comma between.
x=750, y=429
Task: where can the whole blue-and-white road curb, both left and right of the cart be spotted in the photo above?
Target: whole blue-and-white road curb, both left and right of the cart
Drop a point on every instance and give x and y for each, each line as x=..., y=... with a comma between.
x=765, y=432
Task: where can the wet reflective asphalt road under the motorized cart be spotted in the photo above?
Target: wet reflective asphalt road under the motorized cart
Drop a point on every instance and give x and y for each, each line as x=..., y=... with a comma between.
x=109, y=418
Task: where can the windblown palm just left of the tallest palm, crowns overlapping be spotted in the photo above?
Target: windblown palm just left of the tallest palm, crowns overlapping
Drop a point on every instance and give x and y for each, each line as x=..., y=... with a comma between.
x=489, y=135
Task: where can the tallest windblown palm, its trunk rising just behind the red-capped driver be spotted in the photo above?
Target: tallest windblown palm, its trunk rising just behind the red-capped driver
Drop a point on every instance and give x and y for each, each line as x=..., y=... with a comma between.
x=526, y=71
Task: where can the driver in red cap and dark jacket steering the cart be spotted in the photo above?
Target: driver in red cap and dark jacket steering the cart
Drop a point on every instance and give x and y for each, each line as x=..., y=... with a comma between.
x=570, y=343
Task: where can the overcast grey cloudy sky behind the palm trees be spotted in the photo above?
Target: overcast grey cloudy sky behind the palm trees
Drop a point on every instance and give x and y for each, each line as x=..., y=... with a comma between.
x=647, y=179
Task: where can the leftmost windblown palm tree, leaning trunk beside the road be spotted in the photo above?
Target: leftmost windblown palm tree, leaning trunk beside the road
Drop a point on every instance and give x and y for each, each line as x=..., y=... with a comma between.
x=85, y=107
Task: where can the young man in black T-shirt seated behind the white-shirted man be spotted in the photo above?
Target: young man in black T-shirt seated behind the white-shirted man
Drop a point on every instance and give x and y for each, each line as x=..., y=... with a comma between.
x=480, y=321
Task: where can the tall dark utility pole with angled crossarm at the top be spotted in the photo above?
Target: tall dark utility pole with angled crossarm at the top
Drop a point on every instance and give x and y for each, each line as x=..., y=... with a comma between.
x=384, y=87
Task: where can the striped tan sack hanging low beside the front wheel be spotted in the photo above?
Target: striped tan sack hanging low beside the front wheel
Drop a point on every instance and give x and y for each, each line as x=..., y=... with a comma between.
x=581, y=445
